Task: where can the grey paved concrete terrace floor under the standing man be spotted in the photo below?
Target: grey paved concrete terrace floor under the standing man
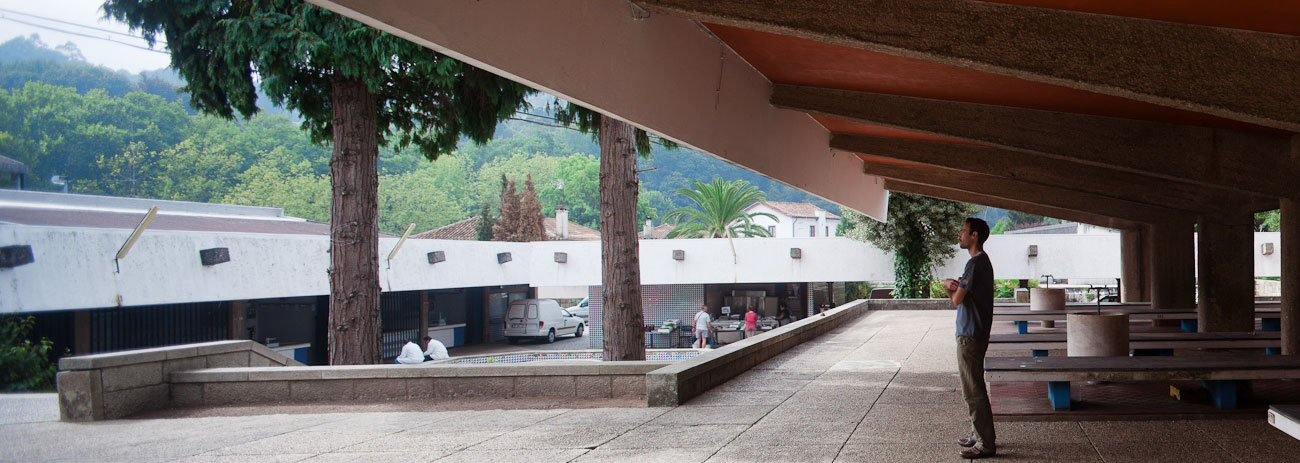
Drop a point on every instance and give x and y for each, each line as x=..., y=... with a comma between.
x=881, y=390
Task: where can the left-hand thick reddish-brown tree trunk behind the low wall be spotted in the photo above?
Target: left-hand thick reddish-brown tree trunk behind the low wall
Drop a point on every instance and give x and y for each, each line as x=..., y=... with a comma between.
x=354, y=274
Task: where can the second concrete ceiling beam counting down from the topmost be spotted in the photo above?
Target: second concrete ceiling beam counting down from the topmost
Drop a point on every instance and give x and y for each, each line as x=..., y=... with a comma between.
x=1215, y=158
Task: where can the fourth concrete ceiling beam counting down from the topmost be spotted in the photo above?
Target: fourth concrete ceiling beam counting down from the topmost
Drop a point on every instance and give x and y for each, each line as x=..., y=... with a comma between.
x=1030, y=193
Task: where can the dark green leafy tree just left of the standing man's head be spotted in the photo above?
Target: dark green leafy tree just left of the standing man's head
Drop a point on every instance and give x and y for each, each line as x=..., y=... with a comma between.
x=921, y=233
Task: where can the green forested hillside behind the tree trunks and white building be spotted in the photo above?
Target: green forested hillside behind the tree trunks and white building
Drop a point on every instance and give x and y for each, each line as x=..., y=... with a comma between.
x=127, y=135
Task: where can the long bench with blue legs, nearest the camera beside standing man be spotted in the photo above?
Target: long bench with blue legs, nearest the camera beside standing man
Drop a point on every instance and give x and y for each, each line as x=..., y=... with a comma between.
x=1221, y=375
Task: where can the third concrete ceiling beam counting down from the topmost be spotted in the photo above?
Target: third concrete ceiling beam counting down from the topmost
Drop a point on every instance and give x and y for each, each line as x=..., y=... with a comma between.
x=1050, y=172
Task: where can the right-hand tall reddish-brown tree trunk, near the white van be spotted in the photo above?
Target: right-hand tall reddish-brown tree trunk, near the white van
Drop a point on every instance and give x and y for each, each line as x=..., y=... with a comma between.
x=621, y=256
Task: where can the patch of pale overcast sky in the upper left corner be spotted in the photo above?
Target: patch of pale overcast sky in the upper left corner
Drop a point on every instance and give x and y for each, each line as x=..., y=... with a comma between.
x=105, y=49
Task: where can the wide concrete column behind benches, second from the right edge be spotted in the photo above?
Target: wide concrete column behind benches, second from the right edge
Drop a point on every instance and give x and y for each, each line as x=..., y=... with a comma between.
x=1225, y=267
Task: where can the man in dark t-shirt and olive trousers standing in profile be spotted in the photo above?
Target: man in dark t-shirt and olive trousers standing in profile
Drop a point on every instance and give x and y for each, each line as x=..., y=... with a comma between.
x=974, y=300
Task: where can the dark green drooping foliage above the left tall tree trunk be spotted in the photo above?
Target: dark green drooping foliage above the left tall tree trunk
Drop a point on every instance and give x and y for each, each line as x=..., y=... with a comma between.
x=298, y=51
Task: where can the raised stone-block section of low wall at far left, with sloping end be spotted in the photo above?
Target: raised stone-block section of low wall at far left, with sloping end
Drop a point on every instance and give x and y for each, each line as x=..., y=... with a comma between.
x=107, y=387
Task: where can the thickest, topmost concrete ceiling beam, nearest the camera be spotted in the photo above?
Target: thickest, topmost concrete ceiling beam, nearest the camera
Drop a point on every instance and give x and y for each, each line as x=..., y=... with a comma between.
x=1232, y=73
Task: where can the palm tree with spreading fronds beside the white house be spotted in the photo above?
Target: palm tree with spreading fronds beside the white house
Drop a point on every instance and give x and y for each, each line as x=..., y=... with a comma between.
x=720, y=211
